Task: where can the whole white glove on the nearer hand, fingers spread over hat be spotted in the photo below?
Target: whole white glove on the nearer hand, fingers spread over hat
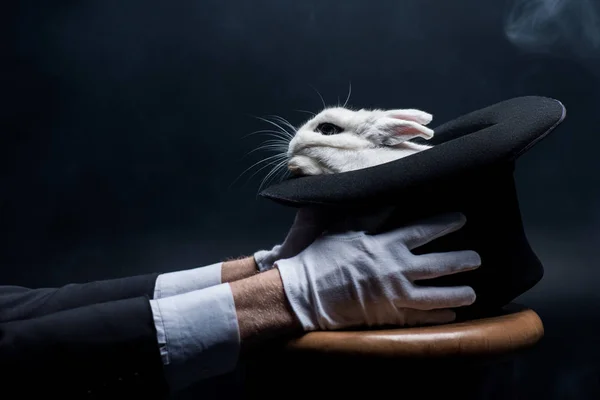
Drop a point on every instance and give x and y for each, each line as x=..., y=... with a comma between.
x=354, y=279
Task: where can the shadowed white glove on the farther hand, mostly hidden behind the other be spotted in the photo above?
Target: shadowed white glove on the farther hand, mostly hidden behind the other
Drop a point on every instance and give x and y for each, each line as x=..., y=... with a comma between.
x=308, y=224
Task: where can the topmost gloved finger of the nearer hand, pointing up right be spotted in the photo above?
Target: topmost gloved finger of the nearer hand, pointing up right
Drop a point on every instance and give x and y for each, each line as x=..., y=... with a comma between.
x=426, y=230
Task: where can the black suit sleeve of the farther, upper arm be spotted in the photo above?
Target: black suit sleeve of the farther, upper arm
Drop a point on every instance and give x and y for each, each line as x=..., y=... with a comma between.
x=22, y=303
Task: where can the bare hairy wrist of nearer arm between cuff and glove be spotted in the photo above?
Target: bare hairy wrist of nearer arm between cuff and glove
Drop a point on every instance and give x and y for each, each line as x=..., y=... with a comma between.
x=262, y=309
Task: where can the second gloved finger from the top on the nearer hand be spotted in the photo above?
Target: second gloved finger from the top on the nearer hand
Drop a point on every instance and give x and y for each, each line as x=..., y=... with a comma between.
x=435, y=265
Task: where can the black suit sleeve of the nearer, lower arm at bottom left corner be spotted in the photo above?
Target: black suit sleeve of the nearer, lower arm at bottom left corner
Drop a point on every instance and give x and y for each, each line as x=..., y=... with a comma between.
x=106, y=350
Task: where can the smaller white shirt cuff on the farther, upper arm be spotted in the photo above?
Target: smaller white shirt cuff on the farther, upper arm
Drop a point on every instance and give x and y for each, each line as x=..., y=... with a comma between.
x=179, y=282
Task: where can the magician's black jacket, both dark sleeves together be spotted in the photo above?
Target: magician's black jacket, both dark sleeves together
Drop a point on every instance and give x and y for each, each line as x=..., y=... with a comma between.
x=93, y=340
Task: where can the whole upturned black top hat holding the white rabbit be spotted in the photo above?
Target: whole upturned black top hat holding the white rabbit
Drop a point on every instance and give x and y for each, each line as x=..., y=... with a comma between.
x=469, y=169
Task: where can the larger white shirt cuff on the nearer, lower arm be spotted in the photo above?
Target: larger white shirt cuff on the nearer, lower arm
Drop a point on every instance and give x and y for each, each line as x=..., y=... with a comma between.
x=198, y=334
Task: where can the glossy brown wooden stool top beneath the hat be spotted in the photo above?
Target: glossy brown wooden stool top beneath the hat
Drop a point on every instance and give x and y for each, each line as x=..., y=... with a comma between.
x=516, y=328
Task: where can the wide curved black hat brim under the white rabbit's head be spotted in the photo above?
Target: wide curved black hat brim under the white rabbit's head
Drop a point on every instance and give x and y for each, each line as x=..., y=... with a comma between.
x=492, y=136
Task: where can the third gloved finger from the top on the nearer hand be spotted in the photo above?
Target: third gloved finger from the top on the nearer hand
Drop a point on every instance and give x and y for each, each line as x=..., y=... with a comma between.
x=430, y=297
